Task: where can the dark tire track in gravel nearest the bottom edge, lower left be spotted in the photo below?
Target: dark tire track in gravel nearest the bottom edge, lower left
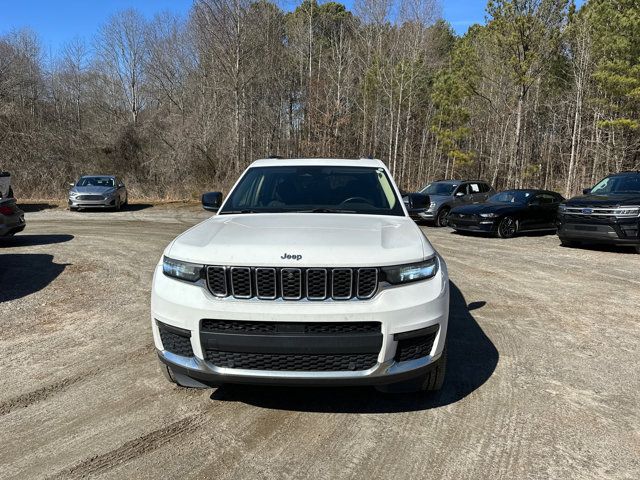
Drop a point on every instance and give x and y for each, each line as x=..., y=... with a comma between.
x=132, y=449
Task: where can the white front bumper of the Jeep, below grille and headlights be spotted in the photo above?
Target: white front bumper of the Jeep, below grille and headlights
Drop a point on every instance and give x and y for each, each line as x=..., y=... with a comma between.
x=408, y=308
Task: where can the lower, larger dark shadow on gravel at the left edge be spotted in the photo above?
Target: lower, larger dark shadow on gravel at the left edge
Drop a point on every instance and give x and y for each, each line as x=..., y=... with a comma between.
x=22, y=274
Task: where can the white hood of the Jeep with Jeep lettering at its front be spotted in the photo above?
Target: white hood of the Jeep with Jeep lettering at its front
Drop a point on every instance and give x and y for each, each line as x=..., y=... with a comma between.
x=304, y=240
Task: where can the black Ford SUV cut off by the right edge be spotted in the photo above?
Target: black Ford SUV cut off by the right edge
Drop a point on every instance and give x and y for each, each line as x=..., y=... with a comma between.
x=607, y=213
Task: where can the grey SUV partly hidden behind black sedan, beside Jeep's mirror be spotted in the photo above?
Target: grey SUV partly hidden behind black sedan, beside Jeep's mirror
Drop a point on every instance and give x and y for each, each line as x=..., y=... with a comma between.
x=443, y=195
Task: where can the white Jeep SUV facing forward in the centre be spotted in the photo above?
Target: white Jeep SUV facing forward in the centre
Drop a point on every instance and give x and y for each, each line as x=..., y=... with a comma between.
x=311, y=273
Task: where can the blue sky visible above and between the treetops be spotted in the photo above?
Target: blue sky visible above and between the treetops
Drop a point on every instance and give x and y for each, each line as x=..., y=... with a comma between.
x=59, y=21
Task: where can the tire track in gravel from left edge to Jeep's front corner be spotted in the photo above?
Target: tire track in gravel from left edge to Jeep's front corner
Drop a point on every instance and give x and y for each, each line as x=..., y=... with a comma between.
x=44, y=393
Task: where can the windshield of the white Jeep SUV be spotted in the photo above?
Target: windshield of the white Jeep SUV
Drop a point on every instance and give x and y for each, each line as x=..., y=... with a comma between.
x=316, y=189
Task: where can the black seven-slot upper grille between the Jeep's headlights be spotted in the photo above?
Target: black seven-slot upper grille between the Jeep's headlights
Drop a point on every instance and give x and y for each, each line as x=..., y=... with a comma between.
x=268, y=283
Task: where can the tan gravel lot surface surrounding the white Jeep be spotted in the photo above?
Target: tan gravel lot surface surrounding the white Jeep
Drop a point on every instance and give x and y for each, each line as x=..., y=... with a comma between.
x=543, y=369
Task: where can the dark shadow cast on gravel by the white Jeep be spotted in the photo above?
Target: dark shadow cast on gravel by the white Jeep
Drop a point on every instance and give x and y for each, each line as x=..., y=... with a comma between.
x=472, y=359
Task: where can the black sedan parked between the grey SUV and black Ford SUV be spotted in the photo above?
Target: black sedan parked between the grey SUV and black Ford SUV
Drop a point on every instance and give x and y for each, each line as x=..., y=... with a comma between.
x=508, y=213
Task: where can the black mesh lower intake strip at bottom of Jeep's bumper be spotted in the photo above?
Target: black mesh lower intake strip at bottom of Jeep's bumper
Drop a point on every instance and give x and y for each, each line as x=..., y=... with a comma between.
x=292, y=362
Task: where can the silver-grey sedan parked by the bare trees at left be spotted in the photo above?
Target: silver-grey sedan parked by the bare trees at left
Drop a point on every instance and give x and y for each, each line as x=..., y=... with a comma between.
x=98, y=191
